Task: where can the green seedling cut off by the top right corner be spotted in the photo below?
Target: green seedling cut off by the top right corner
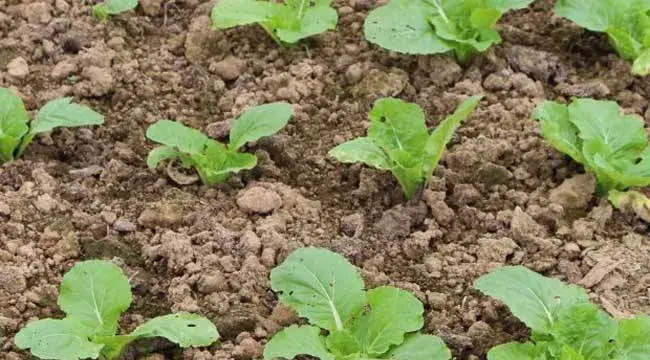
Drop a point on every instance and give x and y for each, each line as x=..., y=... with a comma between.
x=626, y=22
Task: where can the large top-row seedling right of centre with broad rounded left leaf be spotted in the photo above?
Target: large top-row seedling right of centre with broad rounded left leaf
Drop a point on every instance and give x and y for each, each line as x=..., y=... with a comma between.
x=466, y=27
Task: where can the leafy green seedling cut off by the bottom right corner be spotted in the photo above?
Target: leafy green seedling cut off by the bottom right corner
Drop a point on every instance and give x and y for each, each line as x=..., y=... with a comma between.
x=564, y=324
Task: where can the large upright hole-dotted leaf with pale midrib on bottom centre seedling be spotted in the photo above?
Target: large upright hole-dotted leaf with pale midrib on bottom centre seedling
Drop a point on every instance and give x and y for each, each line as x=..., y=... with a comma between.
x=321, y=286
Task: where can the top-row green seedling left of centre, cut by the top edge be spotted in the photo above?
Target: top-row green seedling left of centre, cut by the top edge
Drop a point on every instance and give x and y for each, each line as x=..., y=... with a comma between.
x=286, y=23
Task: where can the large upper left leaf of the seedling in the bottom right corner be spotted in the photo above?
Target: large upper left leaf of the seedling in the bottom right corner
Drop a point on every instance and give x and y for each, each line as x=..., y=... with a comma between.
x=531, y=297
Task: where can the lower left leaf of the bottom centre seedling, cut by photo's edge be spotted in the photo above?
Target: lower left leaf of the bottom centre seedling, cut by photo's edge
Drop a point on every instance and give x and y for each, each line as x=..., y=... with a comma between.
x=297, y=340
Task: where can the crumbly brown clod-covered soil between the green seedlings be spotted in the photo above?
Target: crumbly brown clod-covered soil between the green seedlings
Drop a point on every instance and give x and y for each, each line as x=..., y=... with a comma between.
x=500, y=196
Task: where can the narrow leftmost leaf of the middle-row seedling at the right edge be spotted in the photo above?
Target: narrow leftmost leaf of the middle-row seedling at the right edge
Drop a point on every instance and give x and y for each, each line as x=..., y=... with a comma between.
x=558, y=129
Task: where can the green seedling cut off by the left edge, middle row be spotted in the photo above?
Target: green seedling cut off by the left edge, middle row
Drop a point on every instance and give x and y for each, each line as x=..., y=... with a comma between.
x=17, y=132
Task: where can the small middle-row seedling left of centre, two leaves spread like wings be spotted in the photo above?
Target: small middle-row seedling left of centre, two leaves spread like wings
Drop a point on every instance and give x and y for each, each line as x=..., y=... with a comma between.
x=213, y=160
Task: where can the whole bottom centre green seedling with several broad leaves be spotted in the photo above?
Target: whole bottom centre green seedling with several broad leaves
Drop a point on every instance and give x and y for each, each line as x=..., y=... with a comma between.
x=325, y=288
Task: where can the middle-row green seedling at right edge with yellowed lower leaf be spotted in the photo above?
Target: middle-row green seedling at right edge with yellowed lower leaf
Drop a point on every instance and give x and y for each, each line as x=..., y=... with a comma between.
x=611, y=145
